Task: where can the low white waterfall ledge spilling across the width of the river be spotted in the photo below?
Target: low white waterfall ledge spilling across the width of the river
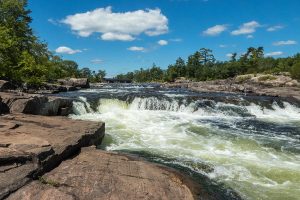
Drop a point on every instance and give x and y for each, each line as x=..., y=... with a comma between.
x=198, y=107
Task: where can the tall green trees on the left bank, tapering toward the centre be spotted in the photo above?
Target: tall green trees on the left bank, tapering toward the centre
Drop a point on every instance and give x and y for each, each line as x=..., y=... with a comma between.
x=24, y=58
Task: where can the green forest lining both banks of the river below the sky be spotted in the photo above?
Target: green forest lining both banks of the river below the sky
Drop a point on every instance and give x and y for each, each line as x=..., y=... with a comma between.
x=26, y=59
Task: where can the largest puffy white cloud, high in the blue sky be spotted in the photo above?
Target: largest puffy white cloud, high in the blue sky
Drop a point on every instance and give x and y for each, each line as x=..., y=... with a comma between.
x=116, y=25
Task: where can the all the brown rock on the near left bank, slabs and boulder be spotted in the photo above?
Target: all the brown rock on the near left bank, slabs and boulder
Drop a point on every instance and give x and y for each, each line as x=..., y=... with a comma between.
x=43, y=157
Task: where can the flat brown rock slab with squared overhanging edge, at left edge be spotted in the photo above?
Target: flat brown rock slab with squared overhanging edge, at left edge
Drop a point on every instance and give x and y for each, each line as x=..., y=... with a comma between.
x=31, y=145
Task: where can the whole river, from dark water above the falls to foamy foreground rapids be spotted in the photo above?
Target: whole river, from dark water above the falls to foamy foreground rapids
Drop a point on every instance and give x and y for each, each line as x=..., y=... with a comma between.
x=244, y=146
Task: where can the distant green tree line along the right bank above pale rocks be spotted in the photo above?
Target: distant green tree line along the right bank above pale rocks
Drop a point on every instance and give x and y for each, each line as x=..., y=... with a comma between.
x=202, y=66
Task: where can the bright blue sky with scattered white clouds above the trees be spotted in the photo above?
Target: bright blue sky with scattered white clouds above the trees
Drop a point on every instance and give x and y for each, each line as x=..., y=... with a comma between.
x=124, y=35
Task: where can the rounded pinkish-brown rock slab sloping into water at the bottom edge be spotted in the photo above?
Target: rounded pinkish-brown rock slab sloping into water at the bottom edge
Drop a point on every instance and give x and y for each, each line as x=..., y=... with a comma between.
x=97, y=174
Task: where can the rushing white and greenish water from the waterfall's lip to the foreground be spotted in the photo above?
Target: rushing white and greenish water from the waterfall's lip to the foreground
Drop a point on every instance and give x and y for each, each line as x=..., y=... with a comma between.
x=250, y=159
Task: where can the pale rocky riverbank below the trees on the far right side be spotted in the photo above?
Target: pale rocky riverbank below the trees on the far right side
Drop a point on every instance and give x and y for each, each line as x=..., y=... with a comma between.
x=260, y=85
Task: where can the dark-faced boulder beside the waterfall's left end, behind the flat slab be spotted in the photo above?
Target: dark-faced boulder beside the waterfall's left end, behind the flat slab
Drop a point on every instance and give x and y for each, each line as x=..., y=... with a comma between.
x=35, y=104
